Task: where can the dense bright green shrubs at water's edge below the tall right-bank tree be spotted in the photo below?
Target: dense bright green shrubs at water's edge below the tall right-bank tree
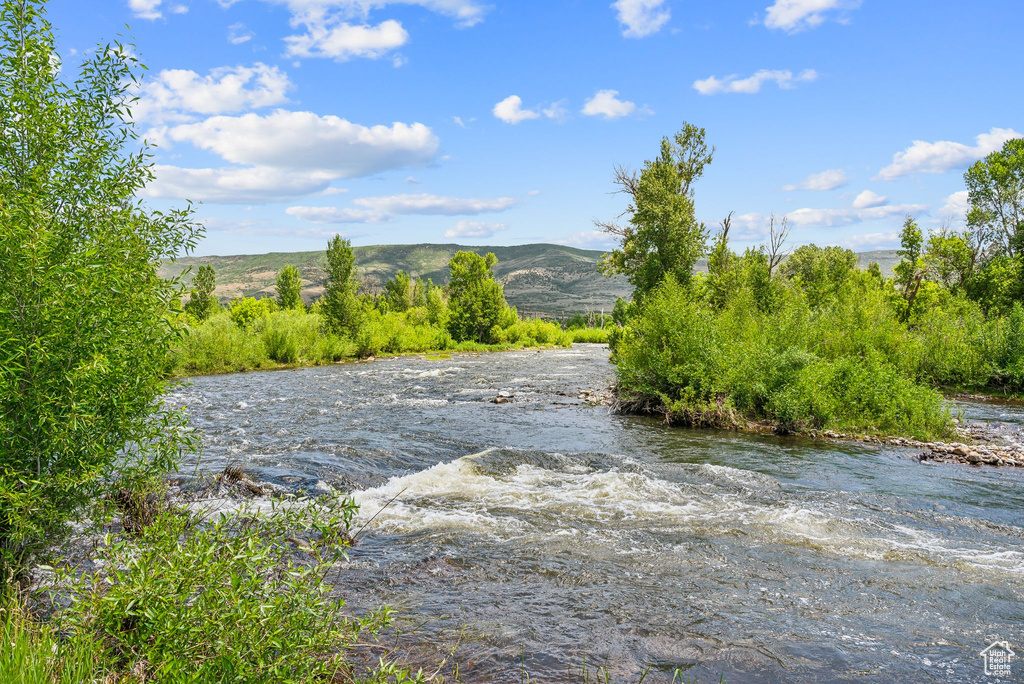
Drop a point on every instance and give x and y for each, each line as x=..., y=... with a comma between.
x=796, y=367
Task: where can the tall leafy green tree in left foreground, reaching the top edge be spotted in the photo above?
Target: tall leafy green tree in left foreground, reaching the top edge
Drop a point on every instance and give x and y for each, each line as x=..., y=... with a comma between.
x=87, y=325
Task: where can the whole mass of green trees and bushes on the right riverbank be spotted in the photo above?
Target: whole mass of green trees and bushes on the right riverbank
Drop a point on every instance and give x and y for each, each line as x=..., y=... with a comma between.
x=805, y=343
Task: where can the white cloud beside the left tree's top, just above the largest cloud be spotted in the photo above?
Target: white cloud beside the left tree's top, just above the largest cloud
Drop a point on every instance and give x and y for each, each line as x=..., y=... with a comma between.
x=175, y=94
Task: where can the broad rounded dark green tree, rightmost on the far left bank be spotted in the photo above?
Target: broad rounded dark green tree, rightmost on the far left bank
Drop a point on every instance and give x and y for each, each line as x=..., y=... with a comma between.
x=476, y=298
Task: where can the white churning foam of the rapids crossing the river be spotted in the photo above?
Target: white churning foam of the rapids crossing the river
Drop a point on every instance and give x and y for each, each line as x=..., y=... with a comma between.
x=619, y=502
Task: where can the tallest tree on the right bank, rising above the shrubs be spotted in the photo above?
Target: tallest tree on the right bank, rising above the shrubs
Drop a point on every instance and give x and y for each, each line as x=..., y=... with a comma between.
x=662, y=236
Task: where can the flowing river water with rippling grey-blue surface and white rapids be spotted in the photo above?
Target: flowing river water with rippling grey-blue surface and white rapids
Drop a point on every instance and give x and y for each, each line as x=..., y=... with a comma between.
x=549, y=532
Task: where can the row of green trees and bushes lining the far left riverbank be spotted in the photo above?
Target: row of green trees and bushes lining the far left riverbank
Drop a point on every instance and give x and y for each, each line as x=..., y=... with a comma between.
x=410, y=317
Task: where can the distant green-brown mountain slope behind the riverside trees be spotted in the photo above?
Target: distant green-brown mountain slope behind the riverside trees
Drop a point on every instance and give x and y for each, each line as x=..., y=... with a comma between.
x=539, y=279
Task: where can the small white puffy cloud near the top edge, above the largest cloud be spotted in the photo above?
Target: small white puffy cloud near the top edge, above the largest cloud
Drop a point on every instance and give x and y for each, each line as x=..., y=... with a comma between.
x=345, y=41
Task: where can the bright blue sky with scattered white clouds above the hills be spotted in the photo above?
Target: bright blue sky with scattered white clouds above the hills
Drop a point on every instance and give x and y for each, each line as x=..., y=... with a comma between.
x=500, y=122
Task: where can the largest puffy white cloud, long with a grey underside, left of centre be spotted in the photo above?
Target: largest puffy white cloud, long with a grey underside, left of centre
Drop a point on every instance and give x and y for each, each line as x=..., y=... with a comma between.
x=306, y=142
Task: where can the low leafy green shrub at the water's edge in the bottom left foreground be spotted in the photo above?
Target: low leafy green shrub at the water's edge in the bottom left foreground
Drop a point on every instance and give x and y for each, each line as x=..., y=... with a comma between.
x=241, y=598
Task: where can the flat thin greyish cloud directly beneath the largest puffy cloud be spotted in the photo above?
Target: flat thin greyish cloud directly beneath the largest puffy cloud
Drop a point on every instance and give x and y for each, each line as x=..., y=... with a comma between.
x=234, y=186
